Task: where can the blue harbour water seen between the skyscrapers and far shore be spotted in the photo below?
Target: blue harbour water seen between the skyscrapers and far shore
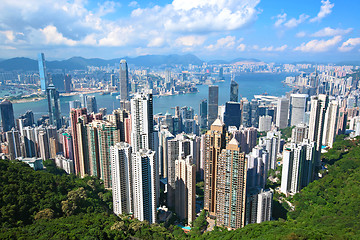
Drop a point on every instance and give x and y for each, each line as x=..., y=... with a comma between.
x=250, y=84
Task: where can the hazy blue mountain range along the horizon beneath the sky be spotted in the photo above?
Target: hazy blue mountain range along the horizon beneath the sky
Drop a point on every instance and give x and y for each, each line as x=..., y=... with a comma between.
x=78, y=63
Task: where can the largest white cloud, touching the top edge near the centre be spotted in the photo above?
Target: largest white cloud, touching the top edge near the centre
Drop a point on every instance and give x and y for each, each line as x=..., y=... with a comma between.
x=205, y=15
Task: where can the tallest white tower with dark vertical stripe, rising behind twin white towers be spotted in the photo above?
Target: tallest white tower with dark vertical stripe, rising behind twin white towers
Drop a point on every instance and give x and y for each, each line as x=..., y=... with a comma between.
x=142, y=122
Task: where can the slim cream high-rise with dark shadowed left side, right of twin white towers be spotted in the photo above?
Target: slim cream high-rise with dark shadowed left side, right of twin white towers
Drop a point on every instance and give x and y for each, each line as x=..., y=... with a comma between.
x=185, y=181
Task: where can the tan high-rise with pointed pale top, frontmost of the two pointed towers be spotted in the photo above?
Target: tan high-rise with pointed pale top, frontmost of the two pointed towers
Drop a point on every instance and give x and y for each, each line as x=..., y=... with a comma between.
x=231, y=187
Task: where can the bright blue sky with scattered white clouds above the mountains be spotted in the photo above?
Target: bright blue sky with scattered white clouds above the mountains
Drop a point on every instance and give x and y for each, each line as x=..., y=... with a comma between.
x=270, y=30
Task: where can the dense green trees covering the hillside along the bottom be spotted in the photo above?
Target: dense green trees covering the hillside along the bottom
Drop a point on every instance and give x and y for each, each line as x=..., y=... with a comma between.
x=40, y=205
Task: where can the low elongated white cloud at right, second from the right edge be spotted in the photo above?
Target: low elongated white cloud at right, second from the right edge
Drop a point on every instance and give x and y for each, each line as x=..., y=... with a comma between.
x=318, y=45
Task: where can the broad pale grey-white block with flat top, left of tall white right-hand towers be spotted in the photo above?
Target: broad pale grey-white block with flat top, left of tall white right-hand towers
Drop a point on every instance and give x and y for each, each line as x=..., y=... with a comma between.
x=297, y=108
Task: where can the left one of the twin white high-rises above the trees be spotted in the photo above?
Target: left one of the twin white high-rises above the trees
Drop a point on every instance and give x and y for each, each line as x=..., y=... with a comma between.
x=121, y=176
